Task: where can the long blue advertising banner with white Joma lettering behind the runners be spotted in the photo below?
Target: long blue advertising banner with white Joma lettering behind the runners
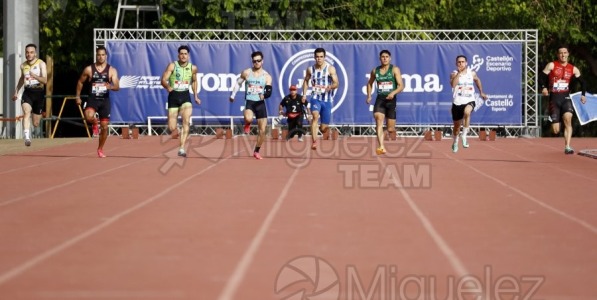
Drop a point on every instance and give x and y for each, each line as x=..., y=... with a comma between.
x=425, y=69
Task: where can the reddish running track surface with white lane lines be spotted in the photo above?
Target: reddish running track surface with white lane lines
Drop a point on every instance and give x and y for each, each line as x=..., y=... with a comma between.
x=421, y=222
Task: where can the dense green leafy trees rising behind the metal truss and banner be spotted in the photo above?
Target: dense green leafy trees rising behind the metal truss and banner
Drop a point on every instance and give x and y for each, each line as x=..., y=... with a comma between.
x=66, y=26
